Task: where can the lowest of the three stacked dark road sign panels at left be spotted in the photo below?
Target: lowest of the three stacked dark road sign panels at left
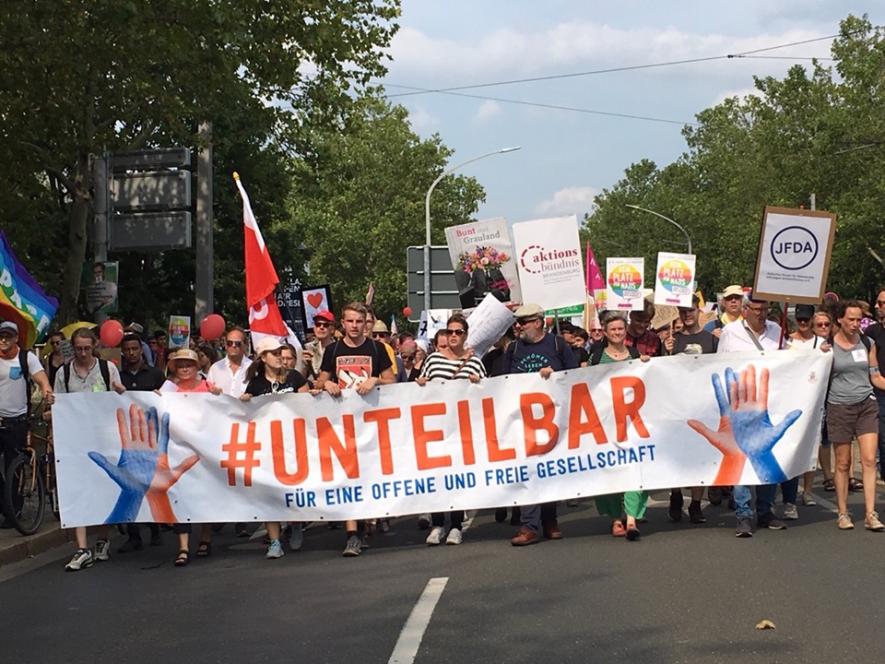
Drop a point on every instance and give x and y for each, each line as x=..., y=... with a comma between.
x=149, y=231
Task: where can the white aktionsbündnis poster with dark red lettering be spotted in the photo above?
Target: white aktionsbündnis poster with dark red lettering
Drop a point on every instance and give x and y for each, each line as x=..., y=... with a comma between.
x=548, y=253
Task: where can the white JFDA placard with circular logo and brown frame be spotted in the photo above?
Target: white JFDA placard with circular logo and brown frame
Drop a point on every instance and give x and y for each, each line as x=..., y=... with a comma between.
x=793, y=260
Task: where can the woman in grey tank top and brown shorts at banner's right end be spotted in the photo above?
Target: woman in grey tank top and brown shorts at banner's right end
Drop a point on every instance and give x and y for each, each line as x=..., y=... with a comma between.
x=852, y=411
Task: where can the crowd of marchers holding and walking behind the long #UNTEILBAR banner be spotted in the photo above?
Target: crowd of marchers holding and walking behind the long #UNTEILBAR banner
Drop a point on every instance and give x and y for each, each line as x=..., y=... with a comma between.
x=359, y=352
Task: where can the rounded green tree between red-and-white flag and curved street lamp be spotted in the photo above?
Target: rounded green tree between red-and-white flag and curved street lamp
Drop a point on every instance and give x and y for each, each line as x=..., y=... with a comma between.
x=358, y=202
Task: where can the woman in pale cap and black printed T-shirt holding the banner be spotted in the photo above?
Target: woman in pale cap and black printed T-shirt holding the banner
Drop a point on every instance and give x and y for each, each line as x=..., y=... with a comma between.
x=267, y=375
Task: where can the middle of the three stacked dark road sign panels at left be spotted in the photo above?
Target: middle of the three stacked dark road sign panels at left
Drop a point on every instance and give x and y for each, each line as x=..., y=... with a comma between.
x=166, y=190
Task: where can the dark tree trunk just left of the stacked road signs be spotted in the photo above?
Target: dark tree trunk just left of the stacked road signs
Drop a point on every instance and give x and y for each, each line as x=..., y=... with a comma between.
x=78, y=226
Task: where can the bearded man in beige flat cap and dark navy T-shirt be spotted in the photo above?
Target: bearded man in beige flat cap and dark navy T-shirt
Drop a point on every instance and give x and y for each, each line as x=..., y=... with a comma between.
x=537, y=351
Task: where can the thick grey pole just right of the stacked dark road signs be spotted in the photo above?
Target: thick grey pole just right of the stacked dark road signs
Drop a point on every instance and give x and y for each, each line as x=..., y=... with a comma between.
x=204, y=282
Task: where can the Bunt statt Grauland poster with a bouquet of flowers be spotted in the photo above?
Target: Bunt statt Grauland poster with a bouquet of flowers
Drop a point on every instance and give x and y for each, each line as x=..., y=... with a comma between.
x=482, y=258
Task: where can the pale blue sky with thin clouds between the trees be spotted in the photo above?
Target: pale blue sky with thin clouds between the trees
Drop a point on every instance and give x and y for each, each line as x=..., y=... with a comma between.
x=567, y=157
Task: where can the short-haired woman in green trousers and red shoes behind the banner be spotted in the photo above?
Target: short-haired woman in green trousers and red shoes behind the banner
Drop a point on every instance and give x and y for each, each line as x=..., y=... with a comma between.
x=630, y=503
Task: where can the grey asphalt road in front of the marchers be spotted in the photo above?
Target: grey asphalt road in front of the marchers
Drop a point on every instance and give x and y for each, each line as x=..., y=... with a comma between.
x=683, y=593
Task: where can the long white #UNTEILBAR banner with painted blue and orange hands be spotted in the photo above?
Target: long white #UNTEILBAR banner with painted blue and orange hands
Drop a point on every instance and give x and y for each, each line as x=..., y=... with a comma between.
x=405, y=449
